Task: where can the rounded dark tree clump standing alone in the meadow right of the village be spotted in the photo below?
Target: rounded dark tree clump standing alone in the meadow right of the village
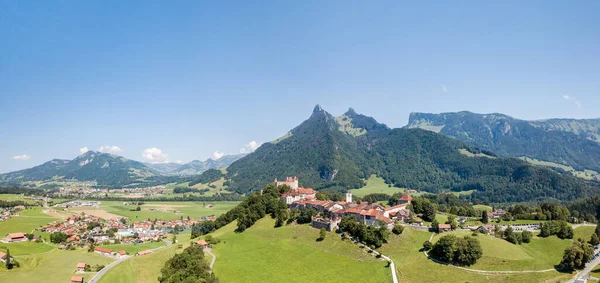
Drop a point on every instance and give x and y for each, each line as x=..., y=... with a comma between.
x=460, y=251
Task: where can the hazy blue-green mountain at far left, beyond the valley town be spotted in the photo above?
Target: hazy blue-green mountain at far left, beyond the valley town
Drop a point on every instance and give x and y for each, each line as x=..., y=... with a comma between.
x=103, y=168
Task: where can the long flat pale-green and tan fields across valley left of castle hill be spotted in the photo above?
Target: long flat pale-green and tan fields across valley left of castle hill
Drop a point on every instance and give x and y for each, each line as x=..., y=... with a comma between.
x=191, y=209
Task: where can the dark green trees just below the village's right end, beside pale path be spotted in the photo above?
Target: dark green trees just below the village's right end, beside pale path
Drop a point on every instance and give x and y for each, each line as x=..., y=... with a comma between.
x=372, y=236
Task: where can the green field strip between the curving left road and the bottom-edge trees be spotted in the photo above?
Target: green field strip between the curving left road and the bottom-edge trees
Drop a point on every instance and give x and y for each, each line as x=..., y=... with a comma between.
x=145, y=268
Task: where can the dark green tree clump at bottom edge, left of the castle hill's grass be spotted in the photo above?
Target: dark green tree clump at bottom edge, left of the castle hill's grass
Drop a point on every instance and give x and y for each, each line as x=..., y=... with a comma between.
x=188, y=266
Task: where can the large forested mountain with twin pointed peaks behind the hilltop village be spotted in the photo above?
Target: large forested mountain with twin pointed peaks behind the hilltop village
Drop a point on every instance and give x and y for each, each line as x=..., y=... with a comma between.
x=338, y=153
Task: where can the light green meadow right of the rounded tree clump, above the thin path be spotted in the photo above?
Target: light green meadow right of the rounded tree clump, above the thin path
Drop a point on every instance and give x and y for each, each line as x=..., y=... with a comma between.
x=499, y=254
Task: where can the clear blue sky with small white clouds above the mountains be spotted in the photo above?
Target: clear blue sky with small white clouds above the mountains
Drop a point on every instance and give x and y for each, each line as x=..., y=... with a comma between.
x=190, y=78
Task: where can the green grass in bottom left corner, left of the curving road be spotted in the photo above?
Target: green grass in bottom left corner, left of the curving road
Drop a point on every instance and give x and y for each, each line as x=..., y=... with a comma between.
x=56, y=266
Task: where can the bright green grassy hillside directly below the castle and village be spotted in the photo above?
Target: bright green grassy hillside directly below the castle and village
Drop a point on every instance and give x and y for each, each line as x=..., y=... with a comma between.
x=291, y=254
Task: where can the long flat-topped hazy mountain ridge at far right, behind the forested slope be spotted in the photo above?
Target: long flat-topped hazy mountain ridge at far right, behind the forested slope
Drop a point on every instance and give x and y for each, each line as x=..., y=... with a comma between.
x=570, y=142
